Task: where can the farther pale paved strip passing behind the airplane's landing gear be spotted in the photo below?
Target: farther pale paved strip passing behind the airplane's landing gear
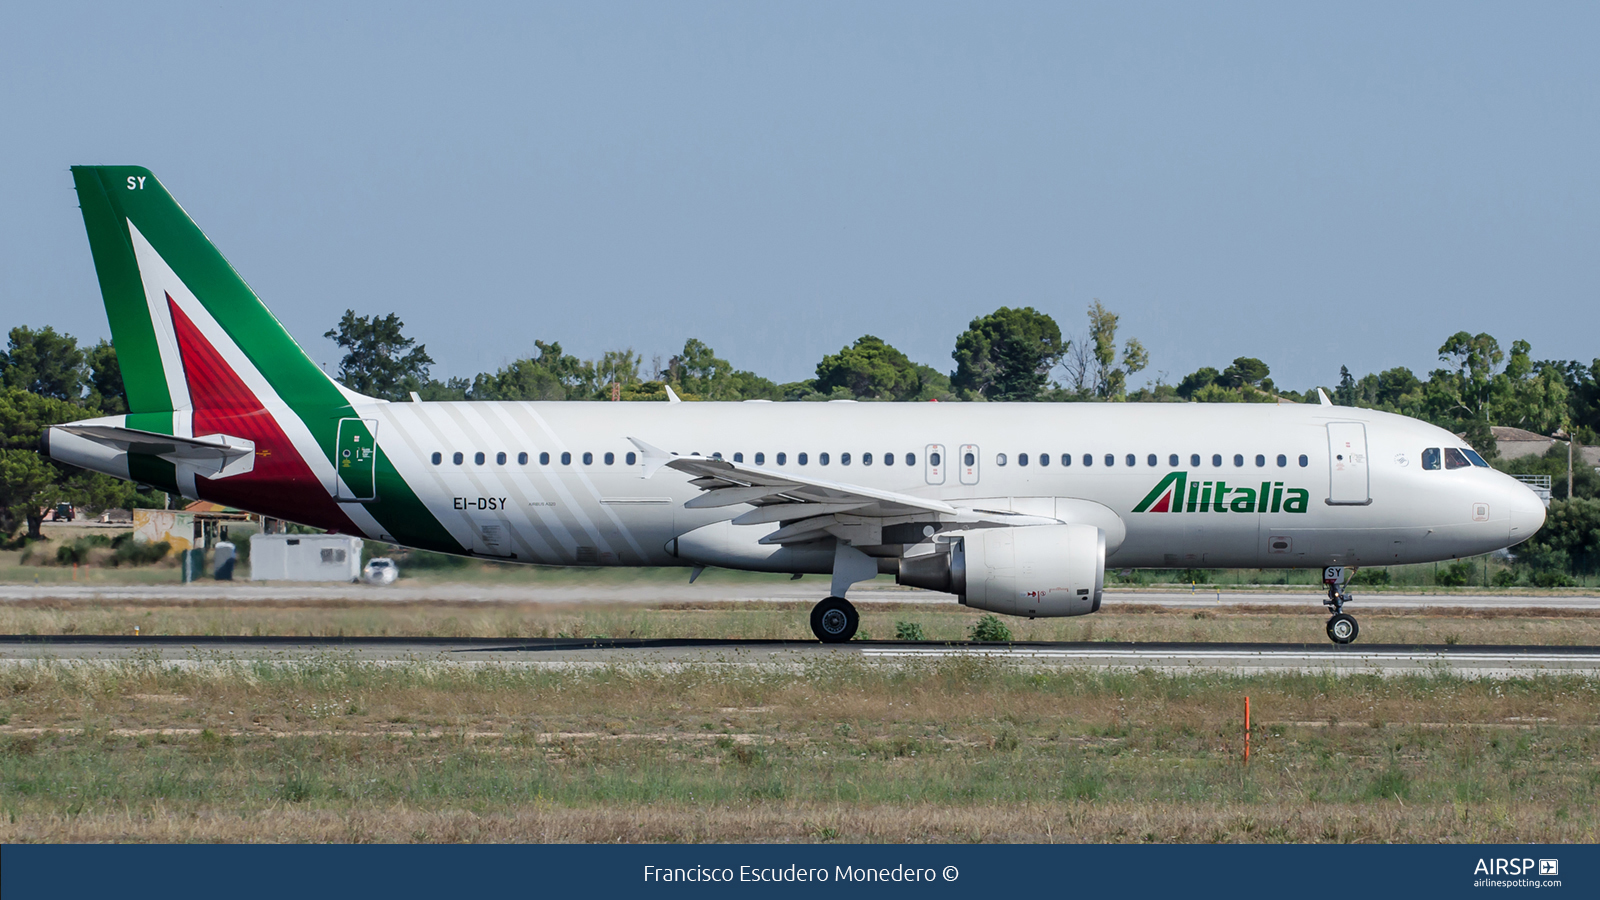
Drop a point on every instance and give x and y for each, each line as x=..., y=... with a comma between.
x=655, y=592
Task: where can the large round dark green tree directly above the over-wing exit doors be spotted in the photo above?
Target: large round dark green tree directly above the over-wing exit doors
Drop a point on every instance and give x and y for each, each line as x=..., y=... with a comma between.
x=1007, y=355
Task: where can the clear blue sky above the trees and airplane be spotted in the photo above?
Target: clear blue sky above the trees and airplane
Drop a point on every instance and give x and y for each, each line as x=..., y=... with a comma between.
x=1310, y=185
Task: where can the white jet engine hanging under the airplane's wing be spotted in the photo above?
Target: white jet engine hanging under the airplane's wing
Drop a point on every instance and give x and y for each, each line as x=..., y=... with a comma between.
x=1036, y=571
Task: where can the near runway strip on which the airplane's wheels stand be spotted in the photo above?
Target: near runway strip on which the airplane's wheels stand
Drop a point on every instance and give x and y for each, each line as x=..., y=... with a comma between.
x=1239, y=659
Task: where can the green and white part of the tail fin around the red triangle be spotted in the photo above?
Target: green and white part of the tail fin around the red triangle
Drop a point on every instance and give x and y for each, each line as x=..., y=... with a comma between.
x=159, y=276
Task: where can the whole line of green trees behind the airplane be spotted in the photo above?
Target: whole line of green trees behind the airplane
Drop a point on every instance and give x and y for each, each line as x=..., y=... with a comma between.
x=1009, y=355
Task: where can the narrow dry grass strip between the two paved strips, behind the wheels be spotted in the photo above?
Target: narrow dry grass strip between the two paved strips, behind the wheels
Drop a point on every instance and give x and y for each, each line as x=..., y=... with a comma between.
x=782, y=621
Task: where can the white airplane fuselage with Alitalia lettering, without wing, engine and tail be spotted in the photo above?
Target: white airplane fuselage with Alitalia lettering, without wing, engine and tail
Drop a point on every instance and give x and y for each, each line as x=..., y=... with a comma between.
x=588, y=510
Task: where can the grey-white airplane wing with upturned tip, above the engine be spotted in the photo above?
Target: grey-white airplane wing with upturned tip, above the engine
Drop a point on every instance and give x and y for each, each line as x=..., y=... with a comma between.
x=810, y=508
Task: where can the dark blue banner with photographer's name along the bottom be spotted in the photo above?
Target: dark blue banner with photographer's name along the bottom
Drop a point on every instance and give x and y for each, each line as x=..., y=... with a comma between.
x=447, y=872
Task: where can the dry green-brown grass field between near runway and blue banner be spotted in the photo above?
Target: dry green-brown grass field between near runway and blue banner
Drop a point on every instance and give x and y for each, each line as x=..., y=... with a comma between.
x=956, y=750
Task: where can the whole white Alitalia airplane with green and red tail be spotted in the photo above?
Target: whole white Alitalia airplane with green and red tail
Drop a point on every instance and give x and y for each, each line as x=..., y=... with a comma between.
x=1014, y=508
